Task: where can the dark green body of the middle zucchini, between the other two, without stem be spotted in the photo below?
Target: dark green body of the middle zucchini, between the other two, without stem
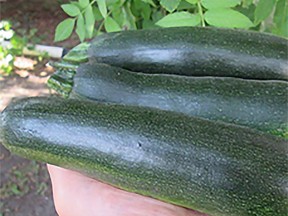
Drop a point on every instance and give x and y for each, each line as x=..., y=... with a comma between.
x=261, y=105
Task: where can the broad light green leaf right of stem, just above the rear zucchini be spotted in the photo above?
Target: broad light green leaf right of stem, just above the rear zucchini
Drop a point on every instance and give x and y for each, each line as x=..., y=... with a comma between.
x=227, y=18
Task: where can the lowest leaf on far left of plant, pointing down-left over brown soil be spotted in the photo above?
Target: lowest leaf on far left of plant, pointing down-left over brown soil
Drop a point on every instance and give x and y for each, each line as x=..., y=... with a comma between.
x=64, y=29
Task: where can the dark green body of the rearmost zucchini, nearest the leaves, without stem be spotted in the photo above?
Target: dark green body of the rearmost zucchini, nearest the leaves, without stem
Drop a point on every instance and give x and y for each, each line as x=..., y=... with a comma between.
x=195, y=51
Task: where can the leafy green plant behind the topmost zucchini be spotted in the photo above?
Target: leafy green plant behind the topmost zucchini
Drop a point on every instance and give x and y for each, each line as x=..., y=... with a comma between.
x=89, y=18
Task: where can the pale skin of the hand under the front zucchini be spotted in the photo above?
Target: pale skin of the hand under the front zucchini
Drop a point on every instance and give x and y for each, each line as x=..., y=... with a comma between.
x=76, y=195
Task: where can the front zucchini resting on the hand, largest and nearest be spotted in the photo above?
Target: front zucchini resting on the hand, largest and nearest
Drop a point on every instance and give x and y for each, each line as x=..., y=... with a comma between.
x=216, y=168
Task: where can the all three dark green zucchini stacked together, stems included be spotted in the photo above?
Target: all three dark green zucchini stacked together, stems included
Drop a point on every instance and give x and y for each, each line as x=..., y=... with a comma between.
x=196, y=117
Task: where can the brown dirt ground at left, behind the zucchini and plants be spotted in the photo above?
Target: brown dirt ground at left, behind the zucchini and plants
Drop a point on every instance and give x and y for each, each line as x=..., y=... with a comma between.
x=25, y=188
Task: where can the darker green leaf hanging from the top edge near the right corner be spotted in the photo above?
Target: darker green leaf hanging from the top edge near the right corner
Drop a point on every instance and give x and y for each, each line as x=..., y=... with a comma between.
x=263, y=10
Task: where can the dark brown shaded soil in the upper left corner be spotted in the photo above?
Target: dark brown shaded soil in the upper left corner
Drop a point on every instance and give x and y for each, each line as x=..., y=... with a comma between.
x=41, y=15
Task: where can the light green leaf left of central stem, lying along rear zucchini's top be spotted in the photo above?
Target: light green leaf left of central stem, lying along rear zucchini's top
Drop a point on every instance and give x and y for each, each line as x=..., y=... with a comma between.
x=179, y=19
